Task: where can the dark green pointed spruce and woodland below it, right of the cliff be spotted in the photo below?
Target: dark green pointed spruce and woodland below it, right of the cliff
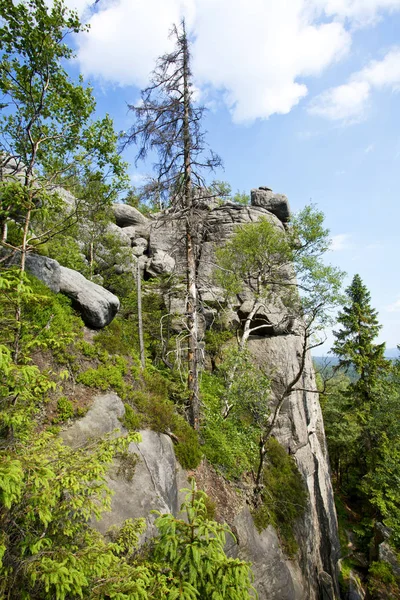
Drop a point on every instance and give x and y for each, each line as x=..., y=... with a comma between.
x=362, y=417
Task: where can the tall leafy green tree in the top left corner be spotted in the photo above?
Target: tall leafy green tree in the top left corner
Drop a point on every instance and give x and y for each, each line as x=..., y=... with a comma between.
x=46, y=131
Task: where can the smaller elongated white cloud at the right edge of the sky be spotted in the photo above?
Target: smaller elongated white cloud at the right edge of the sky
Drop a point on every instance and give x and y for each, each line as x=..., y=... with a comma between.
x=349, y=102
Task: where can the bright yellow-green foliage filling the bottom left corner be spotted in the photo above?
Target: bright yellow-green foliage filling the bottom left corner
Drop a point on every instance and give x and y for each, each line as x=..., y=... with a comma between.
x=51, y=492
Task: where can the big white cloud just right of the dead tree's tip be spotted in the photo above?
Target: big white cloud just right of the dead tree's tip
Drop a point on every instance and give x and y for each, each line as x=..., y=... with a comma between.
x=256, y=55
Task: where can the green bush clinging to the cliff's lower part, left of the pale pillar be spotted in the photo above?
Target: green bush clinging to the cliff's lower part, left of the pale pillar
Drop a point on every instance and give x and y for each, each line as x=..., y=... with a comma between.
x=283, y=496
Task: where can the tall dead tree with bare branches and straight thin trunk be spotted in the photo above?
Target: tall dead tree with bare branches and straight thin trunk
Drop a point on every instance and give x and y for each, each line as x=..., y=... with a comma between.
x=168, y=122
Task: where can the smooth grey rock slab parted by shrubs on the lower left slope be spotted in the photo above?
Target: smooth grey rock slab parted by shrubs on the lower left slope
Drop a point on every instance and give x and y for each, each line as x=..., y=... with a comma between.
x=156, y=479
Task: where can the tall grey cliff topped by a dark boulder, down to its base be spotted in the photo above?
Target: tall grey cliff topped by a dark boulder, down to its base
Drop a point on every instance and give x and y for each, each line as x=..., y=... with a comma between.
x=300, y=429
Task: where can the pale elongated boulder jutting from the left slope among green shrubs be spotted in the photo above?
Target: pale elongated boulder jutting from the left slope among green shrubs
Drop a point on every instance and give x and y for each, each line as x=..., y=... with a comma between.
x=97, y=306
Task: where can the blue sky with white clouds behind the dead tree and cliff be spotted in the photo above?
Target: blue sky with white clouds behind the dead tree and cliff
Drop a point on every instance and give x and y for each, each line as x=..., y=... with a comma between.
x=303, y=97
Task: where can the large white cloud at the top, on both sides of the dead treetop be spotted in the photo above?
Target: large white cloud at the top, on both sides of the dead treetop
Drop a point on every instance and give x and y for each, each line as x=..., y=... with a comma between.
x=254, y=54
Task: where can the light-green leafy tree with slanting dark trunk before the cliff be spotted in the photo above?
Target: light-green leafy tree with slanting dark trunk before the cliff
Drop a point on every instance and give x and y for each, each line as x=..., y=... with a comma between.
x=286, y=276
